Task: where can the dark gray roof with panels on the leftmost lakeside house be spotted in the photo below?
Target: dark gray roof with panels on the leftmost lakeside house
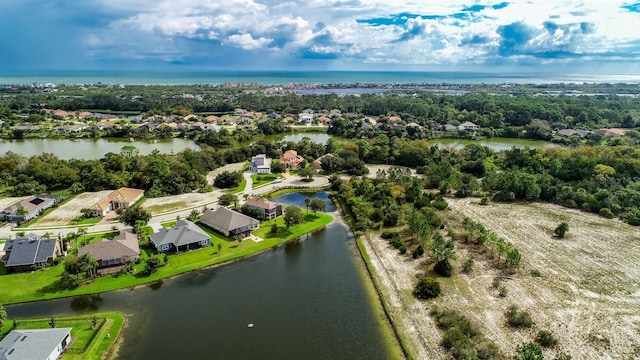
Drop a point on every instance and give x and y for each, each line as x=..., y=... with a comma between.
x=29, y=250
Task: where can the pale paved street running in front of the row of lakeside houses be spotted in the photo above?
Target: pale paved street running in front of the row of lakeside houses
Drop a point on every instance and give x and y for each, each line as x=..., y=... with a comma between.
x=6, y=231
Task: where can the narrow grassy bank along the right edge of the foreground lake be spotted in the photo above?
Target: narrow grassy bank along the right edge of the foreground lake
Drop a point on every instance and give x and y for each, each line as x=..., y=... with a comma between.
x=394, y=338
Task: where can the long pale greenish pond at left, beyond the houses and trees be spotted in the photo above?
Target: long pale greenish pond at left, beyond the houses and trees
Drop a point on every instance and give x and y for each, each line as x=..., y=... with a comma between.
x=91, y=149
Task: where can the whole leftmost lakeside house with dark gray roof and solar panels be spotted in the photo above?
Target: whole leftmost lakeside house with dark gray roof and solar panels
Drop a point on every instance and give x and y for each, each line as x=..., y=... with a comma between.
x=24, y=253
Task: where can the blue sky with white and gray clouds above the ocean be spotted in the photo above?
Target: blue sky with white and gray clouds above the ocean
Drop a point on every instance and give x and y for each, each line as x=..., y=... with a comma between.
x=600, y=36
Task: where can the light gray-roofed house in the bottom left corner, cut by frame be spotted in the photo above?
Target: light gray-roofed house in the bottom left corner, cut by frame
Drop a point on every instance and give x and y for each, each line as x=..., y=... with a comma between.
x=46, y=344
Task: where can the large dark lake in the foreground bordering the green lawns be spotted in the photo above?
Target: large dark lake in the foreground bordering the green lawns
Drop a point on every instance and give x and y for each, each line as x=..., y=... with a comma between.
x=308, y=300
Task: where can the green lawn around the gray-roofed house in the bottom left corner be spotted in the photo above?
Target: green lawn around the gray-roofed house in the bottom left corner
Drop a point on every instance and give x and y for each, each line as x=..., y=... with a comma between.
x=89, y=342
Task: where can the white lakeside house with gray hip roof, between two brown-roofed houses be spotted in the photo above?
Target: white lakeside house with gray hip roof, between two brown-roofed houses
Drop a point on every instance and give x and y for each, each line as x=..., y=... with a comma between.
x=184, y=236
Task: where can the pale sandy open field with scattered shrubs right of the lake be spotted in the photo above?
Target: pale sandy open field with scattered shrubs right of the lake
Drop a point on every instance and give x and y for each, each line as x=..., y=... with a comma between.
x=588, y=294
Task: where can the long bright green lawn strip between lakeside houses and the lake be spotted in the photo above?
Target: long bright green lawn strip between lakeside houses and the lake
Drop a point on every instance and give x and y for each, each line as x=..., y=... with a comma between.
x=43, y=284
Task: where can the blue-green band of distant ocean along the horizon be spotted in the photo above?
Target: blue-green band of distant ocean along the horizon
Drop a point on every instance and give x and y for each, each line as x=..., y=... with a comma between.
x=303, y=77
